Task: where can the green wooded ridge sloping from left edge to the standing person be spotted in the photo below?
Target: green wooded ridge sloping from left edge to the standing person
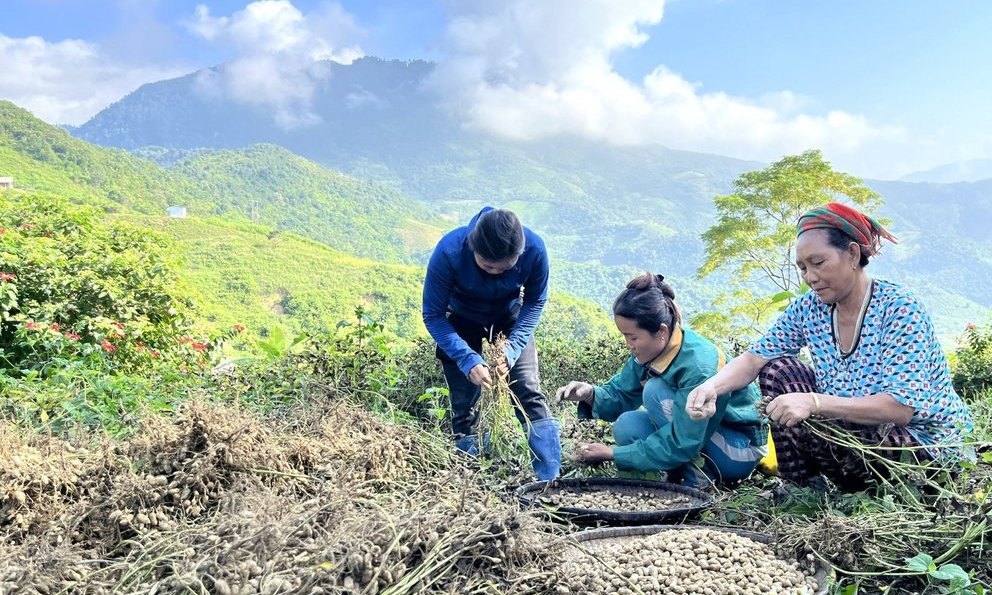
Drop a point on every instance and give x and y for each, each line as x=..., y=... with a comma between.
x=261, y=184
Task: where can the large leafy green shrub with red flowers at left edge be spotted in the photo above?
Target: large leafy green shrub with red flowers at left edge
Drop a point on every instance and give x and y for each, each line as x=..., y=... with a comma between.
x=73, y=286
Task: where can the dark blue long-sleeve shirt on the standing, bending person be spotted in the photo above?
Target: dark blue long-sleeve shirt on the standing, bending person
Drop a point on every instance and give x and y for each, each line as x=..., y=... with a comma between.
x=456, y=284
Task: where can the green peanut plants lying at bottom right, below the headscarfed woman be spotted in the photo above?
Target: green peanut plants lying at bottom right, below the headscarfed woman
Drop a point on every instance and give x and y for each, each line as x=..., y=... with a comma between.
x=919, y=526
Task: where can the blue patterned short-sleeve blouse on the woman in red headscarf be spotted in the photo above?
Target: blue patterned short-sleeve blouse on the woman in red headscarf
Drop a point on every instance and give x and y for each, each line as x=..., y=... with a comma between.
x=897, y=354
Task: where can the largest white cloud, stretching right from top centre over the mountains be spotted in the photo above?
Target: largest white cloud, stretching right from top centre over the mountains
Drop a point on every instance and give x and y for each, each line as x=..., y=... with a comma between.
x=528, y=70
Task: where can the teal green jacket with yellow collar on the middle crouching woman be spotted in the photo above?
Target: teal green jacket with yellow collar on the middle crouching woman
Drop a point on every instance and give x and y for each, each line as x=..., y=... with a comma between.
x=687, y=361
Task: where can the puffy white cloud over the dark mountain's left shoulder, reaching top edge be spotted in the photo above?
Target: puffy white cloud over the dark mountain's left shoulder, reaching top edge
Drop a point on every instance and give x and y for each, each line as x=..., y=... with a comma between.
x=282, y=55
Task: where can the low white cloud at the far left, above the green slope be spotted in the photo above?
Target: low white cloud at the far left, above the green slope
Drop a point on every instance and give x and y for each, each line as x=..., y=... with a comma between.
x=67, y=82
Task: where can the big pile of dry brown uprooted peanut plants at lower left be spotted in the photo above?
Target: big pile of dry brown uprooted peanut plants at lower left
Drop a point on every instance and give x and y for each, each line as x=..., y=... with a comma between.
x=218, y=500
